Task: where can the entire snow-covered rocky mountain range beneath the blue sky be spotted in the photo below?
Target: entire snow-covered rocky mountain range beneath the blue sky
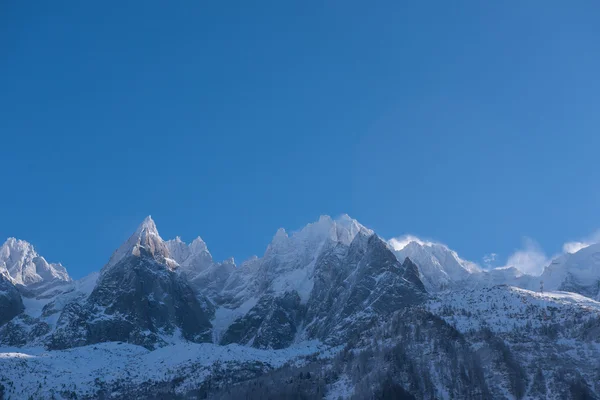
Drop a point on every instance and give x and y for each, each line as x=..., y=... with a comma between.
x=330, y=311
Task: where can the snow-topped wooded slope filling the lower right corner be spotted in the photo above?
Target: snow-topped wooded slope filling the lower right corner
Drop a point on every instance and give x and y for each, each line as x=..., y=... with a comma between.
x=532, y=344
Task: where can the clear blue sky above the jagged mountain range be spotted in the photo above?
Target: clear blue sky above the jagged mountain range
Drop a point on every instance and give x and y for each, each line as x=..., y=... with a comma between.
x=473, y=123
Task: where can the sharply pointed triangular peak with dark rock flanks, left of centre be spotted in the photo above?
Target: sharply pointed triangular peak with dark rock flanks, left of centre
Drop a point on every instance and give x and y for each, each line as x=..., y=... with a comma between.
x=139, y=298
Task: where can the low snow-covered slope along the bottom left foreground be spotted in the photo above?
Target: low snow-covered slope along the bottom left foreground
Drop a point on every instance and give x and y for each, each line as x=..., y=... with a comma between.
x=94, y=371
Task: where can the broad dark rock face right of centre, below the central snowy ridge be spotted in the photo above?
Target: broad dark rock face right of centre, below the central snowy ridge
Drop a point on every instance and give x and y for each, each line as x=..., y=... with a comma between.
x=358, y=286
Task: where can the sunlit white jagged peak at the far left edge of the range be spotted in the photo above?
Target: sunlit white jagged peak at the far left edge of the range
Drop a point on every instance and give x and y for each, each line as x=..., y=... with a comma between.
x=25, y=266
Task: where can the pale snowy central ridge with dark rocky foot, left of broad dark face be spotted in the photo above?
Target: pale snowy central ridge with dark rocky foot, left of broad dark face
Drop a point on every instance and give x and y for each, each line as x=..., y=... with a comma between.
x=281, y=283
